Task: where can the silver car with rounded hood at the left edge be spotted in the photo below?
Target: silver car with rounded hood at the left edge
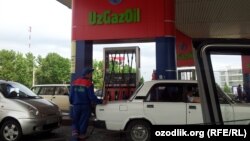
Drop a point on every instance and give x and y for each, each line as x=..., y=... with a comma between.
x=22, y=112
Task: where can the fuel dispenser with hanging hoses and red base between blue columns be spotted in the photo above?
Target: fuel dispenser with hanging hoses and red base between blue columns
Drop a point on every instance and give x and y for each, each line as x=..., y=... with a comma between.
x=121, y=72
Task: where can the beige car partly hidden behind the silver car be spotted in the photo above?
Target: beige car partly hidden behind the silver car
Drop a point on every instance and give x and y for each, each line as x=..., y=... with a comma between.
x=57, y=93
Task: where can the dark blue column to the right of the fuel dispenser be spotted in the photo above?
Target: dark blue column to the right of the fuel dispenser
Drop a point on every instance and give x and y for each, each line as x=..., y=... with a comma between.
x=165, y=58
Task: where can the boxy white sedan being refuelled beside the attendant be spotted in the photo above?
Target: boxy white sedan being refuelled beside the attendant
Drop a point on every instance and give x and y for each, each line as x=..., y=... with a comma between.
x=164, y=102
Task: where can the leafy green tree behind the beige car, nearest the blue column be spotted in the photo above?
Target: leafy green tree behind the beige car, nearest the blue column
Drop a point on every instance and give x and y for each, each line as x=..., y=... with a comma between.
x=53, y=69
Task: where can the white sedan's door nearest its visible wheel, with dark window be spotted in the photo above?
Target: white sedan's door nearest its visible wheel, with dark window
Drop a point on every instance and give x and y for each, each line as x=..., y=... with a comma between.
x=164, y=104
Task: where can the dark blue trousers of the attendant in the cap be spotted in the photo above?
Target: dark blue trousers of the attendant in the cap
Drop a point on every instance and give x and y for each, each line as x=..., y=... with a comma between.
x=80, y=115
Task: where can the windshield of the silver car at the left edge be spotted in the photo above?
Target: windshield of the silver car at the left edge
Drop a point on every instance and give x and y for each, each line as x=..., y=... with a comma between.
x=17, y=90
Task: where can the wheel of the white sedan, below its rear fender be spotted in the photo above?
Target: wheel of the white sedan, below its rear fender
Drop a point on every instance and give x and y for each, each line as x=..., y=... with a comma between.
x=138, y=130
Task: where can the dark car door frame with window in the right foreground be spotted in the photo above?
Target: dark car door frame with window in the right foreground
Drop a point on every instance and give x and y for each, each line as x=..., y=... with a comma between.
x=212, y=57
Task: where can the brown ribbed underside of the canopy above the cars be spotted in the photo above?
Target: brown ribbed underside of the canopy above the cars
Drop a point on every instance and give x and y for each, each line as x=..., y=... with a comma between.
x=210, y=18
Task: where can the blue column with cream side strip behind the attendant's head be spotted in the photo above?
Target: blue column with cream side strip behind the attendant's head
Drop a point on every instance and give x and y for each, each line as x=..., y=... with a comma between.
x=81, y=56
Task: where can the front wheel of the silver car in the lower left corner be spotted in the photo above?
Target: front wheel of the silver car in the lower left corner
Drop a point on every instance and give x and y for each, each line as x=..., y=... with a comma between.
x=10, y=130
